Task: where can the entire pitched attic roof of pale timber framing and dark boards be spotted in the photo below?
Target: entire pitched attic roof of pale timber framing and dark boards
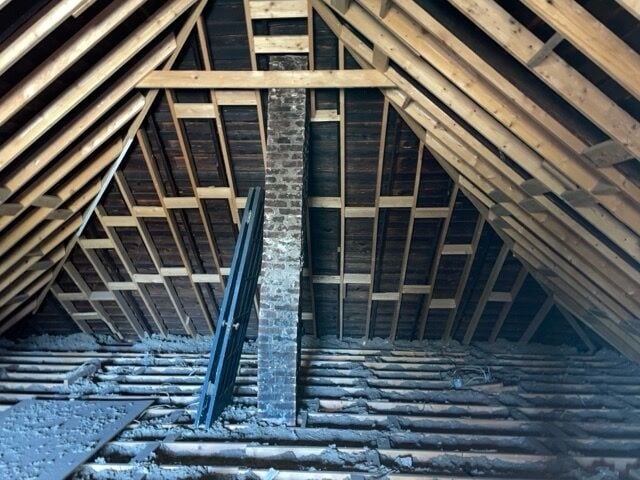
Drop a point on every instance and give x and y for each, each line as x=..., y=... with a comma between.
x=544, y=150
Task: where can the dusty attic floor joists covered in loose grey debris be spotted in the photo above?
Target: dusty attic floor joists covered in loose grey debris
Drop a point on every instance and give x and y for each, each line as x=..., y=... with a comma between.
x=366, y=410
